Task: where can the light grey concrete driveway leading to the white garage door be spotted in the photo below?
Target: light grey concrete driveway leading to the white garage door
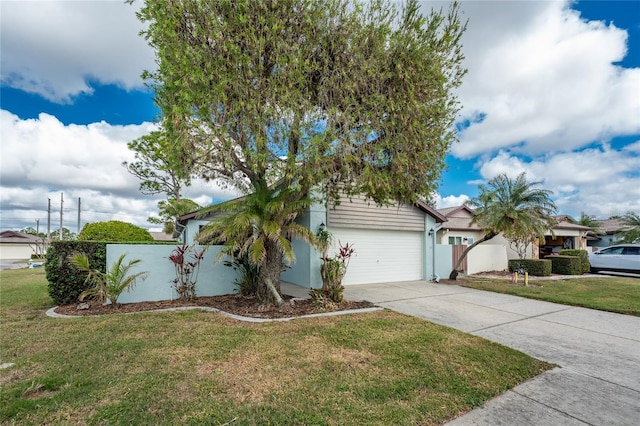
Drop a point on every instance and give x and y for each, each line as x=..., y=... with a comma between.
x=598, y=353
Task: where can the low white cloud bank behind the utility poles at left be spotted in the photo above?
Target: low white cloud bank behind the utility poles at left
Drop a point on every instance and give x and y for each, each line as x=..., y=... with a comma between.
x=43, y=157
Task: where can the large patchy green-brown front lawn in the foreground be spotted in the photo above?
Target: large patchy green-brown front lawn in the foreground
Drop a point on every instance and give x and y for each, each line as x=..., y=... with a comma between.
x=197, y=367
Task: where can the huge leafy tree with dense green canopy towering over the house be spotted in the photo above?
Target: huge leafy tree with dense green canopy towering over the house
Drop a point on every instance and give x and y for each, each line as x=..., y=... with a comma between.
x=345, y=97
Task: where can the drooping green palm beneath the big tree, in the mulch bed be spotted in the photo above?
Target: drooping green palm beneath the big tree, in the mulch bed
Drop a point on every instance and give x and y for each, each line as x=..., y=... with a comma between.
x=261, y=226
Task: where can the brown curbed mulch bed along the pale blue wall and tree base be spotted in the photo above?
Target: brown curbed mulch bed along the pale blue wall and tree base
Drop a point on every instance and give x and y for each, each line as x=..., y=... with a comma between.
x=233, y=304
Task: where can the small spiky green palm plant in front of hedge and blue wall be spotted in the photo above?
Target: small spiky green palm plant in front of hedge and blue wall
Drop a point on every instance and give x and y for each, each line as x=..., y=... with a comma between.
x=107, y=285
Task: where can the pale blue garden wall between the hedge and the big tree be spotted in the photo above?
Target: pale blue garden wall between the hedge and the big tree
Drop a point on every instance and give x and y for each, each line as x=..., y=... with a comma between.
x=214, y=278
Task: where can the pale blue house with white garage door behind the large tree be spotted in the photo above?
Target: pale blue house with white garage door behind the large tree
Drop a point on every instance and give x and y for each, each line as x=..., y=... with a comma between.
x=394, y=243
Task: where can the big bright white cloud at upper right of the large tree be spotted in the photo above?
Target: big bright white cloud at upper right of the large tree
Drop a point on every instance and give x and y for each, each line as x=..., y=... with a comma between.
x=544, y=79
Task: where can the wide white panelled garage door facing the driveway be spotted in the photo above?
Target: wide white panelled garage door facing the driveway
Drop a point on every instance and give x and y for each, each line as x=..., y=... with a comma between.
x=381, y=256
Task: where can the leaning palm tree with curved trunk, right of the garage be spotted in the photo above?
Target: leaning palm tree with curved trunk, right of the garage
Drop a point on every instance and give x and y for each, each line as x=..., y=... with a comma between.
x=512, y=207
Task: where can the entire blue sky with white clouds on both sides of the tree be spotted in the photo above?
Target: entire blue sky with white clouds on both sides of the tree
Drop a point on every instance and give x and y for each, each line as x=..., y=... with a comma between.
x=553, y=89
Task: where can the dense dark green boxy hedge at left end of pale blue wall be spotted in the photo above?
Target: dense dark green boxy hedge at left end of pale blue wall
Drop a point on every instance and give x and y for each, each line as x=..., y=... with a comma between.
x=65, y=281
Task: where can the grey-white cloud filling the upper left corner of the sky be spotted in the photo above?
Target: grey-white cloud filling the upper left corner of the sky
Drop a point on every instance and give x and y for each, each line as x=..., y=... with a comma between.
x=52, y=47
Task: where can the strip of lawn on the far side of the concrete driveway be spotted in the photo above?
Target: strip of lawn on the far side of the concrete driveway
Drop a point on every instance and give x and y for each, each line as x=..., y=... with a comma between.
x=606, y=293
